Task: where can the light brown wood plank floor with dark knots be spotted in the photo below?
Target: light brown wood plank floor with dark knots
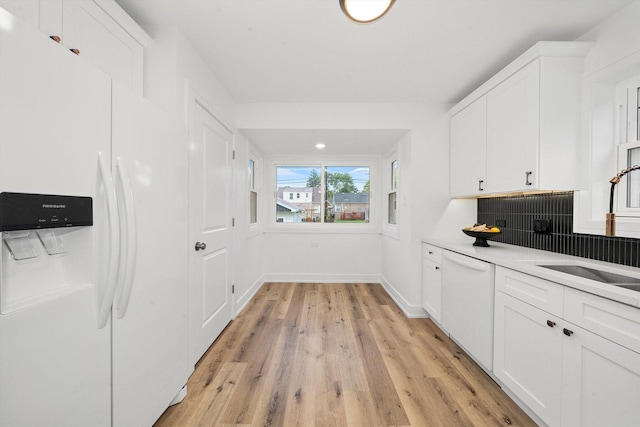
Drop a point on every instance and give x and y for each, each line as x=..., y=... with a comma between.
x=337, y=355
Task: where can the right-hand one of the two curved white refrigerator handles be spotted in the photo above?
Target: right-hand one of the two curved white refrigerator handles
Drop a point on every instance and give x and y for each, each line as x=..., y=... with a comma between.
x=130, y=240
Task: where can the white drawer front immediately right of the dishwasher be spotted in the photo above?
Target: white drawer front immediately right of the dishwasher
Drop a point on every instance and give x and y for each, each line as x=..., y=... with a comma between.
x=538, y=292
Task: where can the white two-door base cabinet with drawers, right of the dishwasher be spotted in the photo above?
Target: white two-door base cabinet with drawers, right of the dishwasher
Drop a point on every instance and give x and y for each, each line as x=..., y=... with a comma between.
x=567, y=375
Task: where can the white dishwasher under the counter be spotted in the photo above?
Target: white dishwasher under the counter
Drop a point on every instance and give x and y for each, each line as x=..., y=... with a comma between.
x=467, y=304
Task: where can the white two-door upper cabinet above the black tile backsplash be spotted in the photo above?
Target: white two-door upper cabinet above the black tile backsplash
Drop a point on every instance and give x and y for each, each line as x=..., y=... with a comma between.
x=531, y=127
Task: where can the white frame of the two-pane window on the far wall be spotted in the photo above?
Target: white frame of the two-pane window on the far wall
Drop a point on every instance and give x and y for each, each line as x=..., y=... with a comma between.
x=371, y=162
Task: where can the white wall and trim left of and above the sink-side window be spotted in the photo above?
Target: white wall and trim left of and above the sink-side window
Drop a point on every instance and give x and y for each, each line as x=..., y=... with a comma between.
x=615, y=56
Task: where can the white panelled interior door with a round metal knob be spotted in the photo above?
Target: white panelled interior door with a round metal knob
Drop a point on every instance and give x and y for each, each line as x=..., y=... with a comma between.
x=210, y=280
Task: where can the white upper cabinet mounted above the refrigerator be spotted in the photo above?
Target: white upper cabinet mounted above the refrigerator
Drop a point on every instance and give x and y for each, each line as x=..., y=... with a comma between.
x=99, y=30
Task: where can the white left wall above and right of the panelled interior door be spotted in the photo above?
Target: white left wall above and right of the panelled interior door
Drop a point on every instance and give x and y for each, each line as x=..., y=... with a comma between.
x=173, y=72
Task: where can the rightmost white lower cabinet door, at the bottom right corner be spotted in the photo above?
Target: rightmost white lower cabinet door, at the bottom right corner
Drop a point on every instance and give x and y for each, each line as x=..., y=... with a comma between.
x=601, y=381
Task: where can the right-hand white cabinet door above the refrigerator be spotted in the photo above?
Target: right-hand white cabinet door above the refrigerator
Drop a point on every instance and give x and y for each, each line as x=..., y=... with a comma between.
x=103, y=42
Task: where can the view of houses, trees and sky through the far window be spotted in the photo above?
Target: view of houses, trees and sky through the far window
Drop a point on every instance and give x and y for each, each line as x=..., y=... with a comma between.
x=337, y=194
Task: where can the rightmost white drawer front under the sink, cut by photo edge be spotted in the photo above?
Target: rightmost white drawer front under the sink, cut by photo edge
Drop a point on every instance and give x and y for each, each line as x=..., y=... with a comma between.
x=615, y=321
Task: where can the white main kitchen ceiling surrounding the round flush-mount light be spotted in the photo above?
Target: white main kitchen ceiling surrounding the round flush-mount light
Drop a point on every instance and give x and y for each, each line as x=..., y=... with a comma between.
x=306, y=51
